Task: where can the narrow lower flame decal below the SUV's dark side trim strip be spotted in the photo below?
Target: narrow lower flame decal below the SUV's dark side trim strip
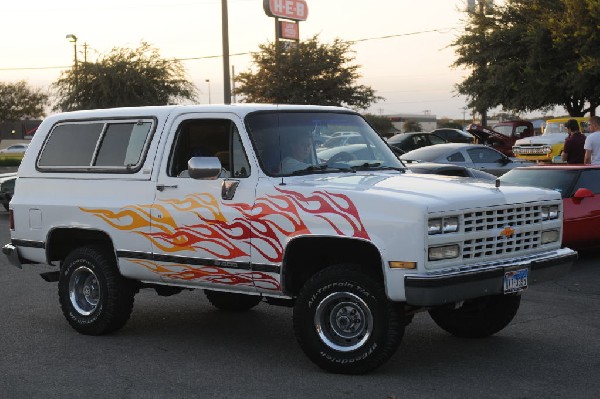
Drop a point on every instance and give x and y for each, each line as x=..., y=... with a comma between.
x=210, y=274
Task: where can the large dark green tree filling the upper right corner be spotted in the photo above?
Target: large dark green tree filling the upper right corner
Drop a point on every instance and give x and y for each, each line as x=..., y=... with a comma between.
x=532, y=54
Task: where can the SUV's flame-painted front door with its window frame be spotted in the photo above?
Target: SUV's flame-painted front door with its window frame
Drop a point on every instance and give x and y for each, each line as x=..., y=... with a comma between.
x=201, y=228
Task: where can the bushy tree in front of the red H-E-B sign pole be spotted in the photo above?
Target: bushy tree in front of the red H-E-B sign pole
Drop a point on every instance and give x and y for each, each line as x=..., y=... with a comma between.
x=307, y=73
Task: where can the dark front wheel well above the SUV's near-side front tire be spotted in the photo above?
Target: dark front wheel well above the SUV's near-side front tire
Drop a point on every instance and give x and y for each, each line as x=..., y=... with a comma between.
x=305, y=256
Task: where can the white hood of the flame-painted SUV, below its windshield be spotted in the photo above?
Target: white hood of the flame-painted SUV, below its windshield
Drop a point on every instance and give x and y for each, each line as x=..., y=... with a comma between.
x=432, y=192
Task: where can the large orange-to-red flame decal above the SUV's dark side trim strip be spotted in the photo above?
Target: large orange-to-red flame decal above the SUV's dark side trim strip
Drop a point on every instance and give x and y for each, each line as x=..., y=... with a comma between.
x=264, y=226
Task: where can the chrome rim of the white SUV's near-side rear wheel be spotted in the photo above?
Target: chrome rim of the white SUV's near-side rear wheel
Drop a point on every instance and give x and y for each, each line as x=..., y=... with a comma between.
x=84, y=291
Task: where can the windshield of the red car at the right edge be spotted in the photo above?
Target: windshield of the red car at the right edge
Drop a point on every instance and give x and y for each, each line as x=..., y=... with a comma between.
x=555, y=179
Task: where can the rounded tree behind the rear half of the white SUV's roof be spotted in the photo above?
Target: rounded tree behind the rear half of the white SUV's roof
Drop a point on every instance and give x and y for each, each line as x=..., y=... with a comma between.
x=123, y=77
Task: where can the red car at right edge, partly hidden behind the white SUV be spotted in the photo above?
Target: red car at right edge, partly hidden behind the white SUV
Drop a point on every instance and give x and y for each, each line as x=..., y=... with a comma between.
x=579, y=186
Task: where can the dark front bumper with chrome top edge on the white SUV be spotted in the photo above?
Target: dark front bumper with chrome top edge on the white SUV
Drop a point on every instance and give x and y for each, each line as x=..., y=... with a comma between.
x=460, y=283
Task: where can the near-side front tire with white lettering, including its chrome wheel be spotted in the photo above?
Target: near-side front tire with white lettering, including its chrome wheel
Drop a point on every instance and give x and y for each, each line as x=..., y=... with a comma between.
x=344, y=322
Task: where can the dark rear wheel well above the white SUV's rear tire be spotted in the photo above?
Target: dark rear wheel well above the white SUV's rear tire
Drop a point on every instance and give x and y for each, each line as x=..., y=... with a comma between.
x=61, y=241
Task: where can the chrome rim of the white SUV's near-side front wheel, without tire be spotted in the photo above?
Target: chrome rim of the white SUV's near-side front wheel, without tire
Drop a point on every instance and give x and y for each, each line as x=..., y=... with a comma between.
x=343, y=321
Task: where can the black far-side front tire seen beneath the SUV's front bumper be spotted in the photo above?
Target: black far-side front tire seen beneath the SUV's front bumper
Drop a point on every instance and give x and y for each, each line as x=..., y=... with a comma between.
x=477, y=318
